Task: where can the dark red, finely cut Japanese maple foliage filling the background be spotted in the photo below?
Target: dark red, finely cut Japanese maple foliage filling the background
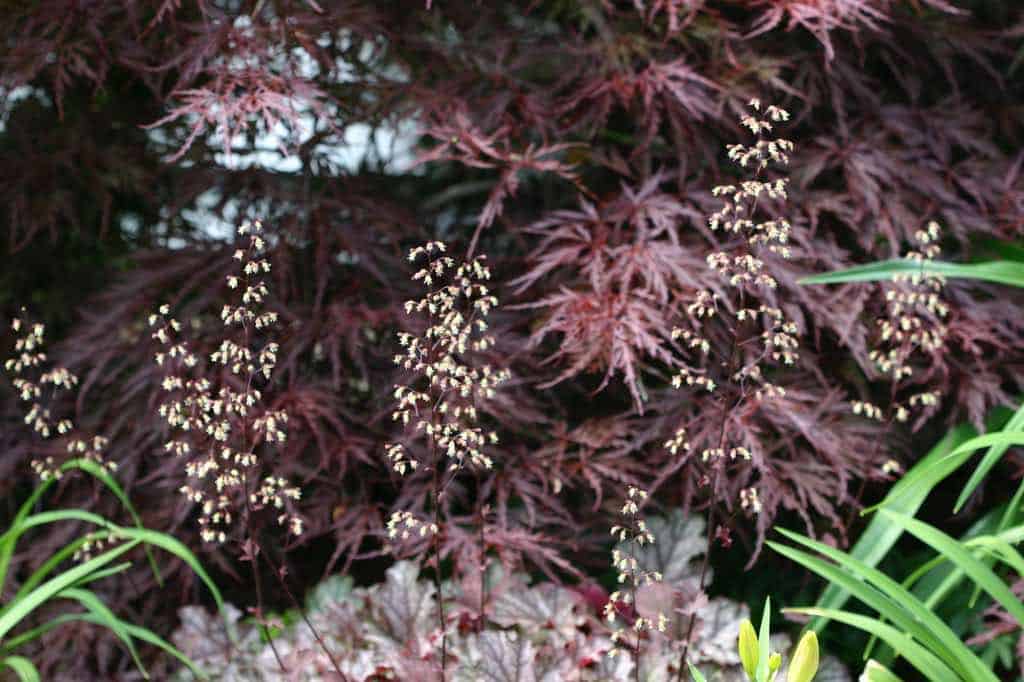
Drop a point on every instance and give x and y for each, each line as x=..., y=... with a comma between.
x=575, y=143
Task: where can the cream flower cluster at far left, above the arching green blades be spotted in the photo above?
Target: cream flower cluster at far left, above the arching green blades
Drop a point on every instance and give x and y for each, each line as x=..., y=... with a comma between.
x=36, y=394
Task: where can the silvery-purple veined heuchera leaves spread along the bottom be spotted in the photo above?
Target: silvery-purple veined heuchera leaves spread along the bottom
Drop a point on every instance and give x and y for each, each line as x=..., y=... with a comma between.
x=533, y=633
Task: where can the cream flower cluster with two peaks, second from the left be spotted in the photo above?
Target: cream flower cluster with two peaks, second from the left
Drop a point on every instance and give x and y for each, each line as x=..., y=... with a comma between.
x=218, y=427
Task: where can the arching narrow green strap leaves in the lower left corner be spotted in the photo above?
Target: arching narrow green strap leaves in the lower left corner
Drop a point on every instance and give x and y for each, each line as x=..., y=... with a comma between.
x=49, y=584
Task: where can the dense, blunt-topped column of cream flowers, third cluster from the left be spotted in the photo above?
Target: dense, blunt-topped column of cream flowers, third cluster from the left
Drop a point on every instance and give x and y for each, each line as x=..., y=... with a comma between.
x=441, y=402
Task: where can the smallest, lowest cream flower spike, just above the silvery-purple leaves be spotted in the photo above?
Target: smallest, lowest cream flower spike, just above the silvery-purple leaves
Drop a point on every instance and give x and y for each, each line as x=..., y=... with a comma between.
x=632, y=535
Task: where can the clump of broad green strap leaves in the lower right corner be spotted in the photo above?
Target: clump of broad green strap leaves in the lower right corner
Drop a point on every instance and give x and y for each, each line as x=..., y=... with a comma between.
x=918, y=633
